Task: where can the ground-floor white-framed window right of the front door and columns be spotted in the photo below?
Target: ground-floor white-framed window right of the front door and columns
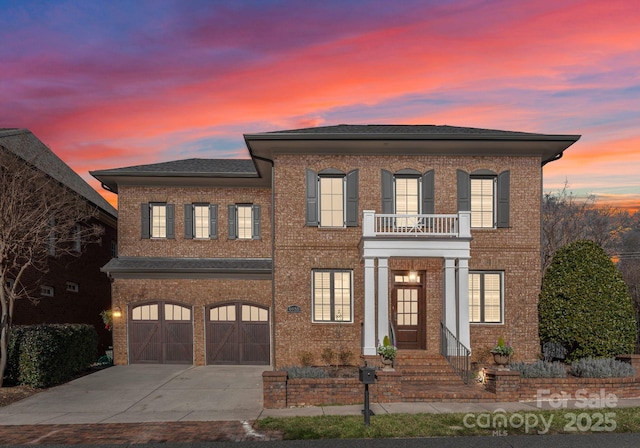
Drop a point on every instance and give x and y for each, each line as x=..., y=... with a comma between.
x=485, y=297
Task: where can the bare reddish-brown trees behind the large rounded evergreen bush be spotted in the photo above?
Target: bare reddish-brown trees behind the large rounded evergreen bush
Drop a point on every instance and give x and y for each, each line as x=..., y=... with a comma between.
x=566, y=218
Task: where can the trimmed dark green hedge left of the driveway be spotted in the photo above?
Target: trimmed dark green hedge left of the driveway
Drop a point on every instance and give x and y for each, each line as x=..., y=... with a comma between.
x=50, y=354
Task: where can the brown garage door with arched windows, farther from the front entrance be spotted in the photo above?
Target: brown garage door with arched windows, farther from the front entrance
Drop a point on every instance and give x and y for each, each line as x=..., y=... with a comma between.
x=161, y=333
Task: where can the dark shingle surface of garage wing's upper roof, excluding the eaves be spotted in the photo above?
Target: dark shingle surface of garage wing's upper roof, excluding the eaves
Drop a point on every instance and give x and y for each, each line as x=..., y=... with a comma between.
x=189, y=167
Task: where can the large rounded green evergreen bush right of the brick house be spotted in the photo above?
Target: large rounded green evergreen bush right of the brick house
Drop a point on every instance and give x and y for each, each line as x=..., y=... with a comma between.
x=585, y=304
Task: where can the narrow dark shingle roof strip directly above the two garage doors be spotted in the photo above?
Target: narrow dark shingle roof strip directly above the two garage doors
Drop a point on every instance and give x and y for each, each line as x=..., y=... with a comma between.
x=158, y=267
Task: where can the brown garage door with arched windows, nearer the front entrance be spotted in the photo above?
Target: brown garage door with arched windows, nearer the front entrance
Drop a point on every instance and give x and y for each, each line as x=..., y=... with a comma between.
x=238, y=333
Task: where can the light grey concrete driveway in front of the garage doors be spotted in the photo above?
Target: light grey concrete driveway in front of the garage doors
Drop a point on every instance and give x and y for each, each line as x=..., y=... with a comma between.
x=146, y=393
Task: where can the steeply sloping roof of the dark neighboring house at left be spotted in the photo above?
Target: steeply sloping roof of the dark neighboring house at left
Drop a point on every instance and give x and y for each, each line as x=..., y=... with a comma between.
x=22, y=143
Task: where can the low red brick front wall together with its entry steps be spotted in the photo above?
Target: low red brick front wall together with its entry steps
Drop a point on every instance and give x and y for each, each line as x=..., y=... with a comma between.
x=420, y=377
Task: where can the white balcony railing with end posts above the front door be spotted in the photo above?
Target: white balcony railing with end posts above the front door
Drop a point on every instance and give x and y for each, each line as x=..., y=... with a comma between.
x=457, y=226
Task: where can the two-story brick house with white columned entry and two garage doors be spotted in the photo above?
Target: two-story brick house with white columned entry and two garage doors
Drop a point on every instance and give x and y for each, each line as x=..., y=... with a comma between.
x=329, y=239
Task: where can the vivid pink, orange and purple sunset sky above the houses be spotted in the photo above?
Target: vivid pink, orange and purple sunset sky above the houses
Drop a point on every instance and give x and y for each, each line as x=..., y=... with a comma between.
x=109, y=84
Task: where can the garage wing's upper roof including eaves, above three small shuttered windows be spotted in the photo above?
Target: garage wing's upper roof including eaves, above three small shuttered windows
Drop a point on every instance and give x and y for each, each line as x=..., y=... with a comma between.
x=219, y=172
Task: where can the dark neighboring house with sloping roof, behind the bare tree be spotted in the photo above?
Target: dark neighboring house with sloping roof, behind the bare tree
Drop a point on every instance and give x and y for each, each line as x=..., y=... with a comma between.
x=74, y=290
